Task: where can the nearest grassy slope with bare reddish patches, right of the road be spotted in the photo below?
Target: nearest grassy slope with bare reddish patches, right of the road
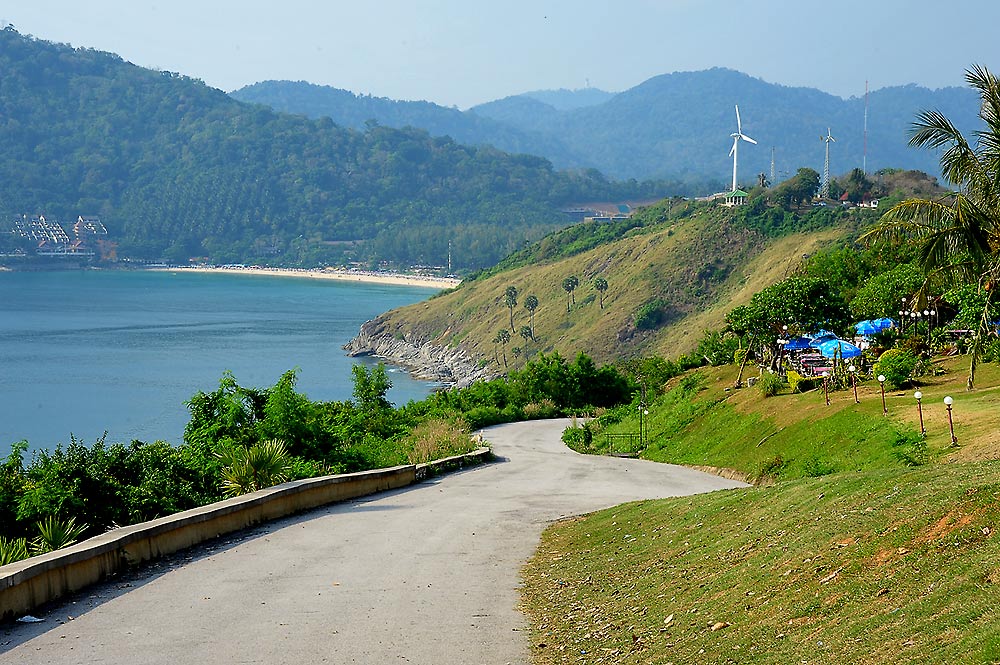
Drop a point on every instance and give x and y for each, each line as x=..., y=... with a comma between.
x=887, y=566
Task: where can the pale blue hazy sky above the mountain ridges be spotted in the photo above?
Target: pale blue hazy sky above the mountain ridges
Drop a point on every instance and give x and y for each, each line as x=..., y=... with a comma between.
x=464, y=52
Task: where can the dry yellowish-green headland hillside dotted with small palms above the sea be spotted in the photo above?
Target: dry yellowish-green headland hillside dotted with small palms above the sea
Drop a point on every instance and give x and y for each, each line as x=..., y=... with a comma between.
x=692, y=268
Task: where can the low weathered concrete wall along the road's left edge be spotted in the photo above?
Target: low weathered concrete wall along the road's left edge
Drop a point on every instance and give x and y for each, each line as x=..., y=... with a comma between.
x=25, y=585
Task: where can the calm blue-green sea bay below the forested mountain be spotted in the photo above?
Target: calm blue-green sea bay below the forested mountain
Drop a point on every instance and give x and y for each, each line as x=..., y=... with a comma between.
x=89, y=352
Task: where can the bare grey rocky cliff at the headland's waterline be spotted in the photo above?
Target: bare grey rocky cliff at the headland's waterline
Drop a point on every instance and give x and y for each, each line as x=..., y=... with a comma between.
x=384, y=339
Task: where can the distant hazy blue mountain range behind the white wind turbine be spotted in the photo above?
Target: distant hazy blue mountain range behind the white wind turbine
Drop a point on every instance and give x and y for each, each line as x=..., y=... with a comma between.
x=674, y=125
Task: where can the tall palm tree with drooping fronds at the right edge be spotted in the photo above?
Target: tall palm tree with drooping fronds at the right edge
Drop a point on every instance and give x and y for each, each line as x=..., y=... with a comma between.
x=958, y=236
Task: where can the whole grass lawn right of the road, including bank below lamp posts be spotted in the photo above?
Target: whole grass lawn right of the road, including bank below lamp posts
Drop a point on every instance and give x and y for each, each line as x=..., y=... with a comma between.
x=871, y=547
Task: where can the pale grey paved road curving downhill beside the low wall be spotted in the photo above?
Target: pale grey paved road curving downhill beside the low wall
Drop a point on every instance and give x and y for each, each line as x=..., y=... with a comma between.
x=428, y=574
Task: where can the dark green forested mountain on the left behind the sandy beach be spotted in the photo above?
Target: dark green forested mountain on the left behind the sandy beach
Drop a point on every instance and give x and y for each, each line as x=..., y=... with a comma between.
x=177, y=169
